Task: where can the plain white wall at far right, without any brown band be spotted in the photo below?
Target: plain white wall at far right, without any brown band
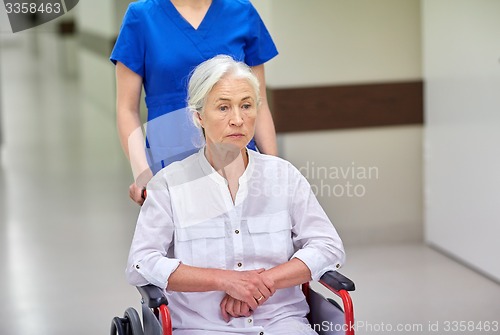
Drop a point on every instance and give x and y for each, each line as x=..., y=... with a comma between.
x=462, y=137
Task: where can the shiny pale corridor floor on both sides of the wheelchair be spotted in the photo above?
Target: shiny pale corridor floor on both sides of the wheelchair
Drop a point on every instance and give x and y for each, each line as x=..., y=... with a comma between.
x=66, y=224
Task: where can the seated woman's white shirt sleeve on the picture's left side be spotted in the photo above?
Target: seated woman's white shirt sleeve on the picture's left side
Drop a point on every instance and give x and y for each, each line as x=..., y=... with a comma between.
x=148, y=261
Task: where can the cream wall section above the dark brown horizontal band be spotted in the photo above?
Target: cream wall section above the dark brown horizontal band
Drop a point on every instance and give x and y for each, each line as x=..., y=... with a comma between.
x=324, y=42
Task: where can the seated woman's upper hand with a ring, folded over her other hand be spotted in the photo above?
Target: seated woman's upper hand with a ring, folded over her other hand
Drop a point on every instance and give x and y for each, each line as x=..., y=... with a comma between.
x=248, y=286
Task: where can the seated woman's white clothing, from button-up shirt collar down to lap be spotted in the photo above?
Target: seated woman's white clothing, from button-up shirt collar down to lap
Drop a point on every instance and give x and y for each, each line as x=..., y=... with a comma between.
x=189, y=217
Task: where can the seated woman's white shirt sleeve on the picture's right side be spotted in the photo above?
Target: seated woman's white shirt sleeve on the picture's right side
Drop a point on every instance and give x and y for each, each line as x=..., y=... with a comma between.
x=317, y=242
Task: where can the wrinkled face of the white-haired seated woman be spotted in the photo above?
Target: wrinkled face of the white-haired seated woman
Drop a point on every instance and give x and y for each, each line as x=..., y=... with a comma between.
x=229, y=113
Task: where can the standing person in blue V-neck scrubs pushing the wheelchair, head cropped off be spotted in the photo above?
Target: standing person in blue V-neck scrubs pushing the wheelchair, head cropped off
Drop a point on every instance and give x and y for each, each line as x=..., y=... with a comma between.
x=159, y=44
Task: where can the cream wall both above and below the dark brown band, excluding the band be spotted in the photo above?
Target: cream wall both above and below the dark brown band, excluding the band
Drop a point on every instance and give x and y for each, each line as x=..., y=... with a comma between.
x=336, y=42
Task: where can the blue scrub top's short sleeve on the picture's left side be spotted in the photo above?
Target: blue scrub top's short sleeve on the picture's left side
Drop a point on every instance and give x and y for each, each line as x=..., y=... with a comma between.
x=129, y=48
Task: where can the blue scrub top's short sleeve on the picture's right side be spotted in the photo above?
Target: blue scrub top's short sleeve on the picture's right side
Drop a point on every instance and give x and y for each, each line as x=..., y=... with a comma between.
x=260, y=46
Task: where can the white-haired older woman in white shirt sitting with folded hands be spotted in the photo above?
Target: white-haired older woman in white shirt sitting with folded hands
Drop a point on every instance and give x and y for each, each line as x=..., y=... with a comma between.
x=228, y=232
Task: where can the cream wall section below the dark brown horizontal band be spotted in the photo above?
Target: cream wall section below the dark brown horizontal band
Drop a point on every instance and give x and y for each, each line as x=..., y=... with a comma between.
x=369, y=181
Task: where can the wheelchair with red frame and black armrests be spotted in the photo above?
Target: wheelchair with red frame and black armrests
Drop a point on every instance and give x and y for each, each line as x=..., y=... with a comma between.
x=323, y=317
